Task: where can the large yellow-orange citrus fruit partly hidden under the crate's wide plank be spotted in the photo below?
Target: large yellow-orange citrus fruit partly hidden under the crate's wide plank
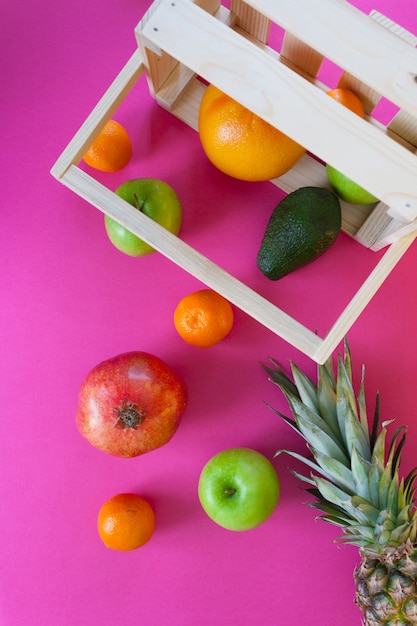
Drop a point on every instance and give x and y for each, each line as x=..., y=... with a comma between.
x=241, y=144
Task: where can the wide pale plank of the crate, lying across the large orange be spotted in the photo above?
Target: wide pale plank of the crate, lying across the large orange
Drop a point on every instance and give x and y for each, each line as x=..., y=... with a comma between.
x=287, y=101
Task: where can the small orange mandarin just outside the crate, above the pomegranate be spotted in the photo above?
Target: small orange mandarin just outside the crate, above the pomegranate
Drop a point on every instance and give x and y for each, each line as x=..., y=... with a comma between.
x=203, y=318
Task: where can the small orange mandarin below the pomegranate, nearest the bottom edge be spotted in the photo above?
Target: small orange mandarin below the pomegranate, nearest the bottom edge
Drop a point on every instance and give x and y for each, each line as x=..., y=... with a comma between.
x=126, y=522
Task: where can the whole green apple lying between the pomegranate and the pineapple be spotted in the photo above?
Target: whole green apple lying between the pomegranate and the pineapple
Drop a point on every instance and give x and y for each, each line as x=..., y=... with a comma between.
x=239, y=488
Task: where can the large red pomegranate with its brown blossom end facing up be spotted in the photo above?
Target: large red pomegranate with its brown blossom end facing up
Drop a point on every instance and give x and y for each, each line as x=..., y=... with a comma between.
x=130, y=404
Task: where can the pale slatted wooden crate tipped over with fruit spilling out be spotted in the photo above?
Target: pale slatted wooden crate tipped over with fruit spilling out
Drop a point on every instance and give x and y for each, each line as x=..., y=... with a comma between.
x=181, y=42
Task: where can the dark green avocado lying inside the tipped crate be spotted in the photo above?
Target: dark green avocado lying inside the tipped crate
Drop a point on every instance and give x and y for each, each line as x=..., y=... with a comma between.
x=301, y=228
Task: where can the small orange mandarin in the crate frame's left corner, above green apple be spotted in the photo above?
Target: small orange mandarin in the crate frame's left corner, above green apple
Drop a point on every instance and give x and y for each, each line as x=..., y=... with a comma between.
x=111, y=150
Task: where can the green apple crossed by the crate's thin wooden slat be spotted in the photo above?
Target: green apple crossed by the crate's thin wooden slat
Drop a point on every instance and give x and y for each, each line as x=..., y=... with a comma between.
x=157, y=200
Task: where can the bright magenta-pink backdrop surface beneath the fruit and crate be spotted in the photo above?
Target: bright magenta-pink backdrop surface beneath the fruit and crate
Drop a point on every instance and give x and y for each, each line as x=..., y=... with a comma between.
x=70, y=300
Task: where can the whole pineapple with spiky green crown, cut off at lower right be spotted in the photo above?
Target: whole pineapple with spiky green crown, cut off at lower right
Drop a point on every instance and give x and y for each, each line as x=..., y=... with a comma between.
x=355, y=483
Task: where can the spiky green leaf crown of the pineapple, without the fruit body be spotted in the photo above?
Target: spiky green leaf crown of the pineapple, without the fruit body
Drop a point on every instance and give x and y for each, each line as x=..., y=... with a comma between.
x=355, y=479
